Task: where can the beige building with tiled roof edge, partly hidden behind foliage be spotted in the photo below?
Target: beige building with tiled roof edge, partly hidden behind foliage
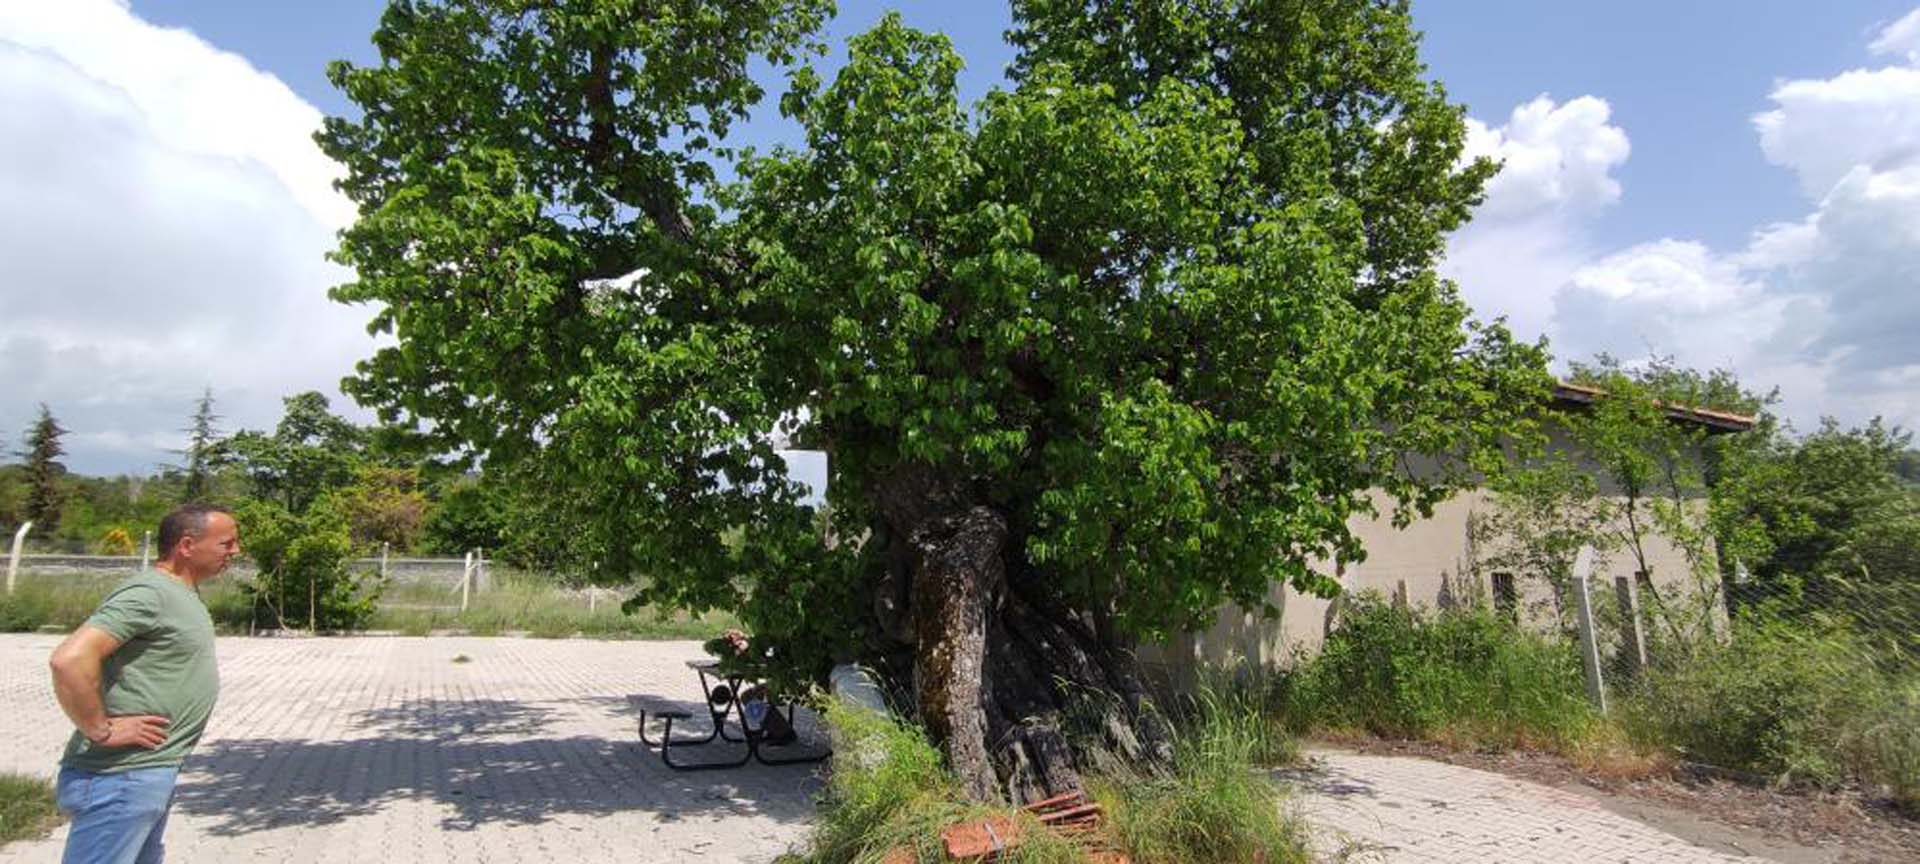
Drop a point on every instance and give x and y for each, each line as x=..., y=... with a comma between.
x=1431, y=564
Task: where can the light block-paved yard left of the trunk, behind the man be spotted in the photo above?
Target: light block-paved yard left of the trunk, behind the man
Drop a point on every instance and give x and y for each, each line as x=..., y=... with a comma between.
x=389, y=750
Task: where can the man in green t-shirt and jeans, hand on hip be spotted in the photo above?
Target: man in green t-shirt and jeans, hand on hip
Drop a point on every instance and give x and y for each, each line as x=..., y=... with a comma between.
x=139, y=683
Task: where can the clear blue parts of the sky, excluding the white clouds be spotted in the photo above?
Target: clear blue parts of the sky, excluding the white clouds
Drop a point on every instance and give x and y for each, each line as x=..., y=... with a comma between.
x=1683, y=78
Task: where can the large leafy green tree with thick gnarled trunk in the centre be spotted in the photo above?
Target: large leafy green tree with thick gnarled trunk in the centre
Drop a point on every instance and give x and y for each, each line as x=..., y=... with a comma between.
x=1122, y=343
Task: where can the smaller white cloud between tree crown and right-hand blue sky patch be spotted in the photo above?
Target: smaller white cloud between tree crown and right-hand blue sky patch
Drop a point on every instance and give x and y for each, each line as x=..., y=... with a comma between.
x=1529, y=237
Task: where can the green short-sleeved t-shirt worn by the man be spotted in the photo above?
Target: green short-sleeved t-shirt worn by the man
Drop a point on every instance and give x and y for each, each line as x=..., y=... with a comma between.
x=164, y=667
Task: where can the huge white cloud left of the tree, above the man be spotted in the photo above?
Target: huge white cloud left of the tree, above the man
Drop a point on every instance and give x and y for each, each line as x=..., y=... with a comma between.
x=164, y=218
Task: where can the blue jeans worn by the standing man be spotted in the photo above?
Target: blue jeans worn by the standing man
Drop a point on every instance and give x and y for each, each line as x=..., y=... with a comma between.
x=118, y=819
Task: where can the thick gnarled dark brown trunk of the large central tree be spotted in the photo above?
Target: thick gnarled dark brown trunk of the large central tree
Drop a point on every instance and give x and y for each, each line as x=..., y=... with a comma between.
x=1020, y=692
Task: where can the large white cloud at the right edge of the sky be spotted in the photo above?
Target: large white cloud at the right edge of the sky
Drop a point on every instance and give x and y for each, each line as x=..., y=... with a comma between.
x=1823, y=306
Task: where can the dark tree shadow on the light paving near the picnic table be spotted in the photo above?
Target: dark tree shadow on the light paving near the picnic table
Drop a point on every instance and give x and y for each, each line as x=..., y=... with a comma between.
x=489, y=761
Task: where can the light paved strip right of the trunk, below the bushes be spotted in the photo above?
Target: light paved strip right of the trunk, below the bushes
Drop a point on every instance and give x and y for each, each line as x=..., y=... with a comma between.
x=1401, y=809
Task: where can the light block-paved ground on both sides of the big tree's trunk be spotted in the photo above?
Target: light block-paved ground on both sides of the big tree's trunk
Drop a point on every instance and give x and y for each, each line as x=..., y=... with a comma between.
x=391, y=750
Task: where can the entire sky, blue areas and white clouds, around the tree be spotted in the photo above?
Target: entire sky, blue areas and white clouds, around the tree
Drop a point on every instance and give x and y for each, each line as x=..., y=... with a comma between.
x=1648, y=204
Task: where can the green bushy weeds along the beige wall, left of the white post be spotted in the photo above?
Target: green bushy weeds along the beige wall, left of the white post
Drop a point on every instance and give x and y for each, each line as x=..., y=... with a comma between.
x=1462, y=675
